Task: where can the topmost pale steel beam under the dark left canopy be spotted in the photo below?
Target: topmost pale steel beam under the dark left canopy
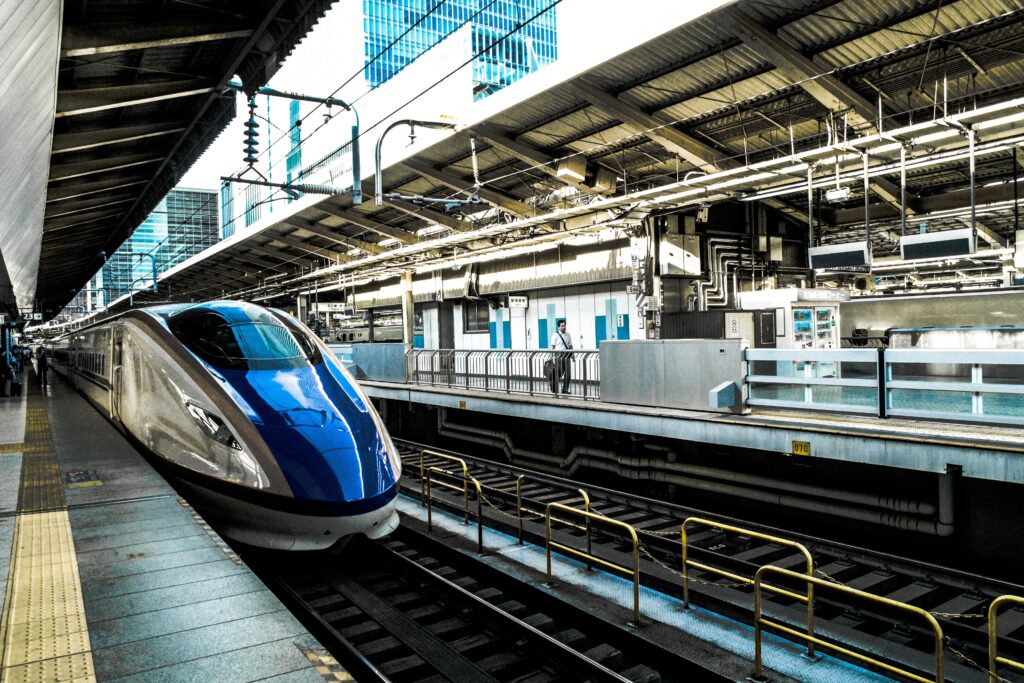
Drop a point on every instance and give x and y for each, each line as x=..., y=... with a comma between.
x=83, y=41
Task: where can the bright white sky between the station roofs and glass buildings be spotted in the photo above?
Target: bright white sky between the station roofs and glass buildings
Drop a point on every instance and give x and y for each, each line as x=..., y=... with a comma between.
x=589, y=32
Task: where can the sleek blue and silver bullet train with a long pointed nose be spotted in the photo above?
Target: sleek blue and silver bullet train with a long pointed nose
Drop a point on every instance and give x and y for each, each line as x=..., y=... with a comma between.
x=265, y=432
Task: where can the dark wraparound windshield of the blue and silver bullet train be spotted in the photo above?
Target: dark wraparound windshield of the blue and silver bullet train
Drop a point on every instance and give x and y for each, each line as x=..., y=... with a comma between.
x=261, y=344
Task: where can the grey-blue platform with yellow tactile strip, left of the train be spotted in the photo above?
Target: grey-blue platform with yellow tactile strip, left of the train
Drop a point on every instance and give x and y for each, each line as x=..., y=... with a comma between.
x=106, y=575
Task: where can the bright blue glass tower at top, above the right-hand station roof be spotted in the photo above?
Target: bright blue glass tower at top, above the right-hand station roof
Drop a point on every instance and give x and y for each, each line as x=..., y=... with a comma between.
x=503, y=54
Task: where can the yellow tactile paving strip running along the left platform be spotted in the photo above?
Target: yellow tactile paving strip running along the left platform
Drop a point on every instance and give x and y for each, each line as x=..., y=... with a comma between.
x=44, y=632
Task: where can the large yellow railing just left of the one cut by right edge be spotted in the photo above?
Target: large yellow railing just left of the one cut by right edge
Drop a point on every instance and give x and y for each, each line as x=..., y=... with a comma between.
x=760, y=622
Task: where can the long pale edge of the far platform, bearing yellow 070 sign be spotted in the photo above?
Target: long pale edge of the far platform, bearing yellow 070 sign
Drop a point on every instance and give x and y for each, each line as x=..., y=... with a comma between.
x=988, y=452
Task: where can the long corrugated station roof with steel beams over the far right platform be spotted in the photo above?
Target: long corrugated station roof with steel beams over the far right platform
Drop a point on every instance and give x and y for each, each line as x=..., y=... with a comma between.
x=753, y=93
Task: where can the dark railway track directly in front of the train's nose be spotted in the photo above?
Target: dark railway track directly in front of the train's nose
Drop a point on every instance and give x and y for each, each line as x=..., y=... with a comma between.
x=409, y=609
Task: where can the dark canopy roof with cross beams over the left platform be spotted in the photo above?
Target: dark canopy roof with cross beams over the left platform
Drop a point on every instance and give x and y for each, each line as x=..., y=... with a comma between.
x=138, y=98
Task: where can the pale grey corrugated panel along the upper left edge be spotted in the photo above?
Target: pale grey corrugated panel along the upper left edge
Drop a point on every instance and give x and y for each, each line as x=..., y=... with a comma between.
x=30, y=36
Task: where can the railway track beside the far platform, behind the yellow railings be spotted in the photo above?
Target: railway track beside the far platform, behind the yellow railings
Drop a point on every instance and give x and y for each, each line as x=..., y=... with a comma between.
x=959, y=602
